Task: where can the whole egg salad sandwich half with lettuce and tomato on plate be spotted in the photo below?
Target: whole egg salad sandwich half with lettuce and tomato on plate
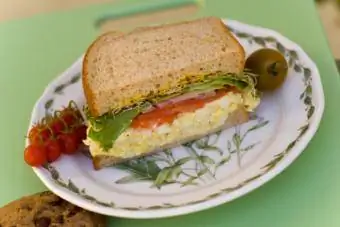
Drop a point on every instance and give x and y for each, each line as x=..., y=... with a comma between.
x=158, y=87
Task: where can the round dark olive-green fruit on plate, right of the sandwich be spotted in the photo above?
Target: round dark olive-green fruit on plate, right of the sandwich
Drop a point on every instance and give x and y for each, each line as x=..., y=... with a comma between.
x=270, y=66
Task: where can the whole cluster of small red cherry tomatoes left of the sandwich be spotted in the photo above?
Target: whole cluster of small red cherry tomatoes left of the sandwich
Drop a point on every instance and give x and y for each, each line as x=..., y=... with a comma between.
x=55, y=135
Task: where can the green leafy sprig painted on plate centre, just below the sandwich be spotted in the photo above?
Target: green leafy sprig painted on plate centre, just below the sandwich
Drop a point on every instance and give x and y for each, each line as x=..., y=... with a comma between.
x=203, y=166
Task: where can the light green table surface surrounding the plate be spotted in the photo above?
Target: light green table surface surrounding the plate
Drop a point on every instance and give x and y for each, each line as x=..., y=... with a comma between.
x=35, y=50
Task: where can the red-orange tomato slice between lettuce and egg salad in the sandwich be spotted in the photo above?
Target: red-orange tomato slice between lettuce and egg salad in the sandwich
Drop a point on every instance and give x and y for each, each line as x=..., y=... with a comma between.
x=168, y=113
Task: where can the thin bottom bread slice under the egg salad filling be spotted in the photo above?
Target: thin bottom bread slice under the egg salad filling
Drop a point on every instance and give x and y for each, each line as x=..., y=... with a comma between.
x=239, y=116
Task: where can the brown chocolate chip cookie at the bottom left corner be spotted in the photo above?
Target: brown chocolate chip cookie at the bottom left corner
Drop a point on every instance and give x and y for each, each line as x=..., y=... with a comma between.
x=45, y=209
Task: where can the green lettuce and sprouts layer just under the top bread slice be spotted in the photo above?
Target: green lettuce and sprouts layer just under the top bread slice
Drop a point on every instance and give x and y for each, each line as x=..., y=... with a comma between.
x=107, y=128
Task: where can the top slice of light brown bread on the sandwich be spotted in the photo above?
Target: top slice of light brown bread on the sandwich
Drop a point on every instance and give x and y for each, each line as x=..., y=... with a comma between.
x=123, y=69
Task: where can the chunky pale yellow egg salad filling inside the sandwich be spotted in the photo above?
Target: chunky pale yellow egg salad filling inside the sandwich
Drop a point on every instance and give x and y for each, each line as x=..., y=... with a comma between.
x=133, y=142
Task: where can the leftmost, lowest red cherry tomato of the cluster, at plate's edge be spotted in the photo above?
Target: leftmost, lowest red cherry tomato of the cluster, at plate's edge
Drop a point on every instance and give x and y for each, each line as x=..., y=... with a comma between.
x=35, y=155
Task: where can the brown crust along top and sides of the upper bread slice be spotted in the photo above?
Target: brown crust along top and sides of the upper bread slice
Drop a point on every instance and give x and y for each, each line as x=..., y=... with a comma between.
x=91, y=98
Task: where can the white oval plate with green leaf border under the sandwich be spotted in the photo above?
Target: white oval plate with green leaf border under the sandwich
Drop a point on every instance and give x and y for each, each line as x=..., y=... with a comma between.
x=207, y=172
